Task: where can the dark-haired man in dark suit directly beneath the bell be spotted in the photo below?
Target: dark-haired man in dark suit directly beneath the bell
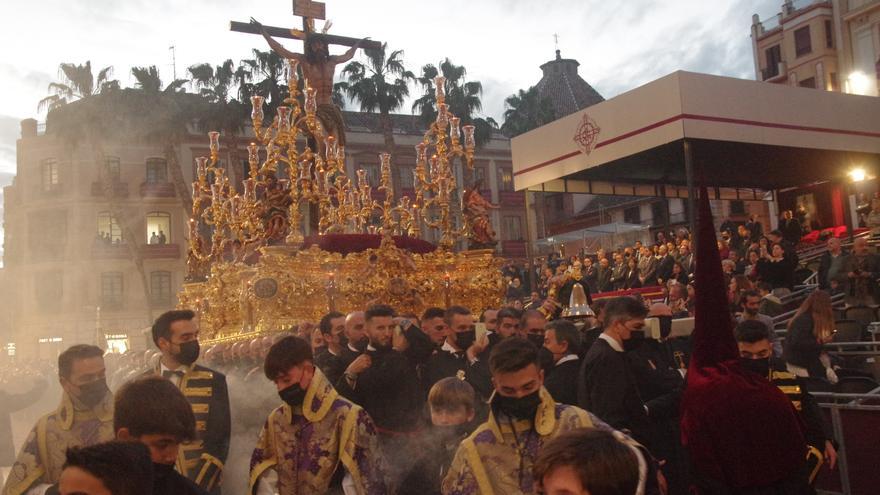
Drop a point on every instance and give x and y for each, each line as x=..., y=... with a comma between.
x=563, y=341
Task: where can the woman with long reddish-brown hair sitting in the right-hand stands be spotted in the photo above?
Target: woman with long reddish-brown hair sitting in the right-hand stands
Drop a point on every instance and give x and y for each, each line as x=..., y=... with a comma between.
x=811, y=327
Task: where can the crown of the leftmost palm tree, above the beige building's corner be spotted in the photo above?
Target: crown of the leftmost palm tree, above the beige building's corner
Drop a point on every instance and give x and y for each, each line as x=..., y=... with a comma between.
x=77, y=83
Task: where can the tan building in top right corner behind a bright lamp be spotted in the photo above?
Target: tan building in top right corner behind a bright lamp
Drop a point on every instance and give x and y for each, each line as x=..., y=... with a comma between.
x=832, y=45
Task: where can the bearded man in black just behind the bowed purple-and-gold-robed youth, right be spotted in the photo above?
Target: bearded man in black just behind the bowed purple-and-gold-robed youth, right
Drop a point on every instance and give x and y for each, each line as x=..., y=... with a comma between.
x=384, y=381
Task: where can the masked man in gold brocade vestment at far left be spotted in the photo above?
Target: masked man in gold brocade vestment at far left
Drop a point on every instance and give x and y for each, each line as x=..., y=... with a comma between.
x=85, y=417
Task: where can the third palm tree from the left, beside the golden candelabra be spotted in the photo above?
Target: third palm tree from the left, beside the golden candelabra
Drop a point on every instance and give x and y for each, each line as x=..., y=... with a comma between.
x=220, y=112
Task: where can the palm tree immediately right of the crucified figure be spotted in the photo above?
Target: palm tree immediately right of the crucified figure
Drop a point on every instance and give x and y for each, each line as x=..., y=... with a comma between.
x=381, y=86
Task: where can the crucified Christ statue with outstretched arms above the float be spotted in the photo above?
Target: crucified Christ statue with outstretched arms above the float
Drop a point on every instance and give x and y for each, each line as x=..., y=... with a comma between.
x=318, y=67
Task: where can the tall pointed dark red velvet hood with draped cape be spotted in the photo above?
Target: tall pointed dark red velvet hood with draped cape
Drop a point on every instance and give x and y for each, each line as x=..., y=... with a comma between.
x=740, y=430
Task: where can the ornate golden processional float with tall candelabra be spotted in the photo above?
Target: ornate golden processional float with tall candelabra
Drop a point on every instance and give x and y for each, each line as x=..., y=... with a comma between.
x=251, y=271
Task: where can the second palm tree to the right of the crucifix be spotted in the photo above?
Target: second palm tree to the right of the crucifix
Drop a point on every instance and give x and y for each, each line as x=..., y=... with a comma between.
x=463, y=98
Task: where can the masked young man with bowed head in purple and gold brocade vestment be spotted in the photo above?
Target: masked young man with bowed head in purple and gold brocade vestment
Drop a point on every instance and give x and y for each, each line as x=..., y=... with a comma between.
x=316, y=442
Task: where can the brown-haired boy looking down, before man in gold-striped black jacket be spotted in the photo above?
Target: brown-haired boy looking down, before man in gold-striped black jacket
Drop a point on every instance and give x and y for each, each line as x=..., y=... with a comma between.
x=154, y=412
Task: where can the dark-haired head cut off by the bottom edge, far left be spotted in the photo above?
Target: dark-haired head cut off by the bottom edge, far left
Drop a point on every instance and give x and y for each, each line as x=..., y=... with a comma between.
x=112, y=468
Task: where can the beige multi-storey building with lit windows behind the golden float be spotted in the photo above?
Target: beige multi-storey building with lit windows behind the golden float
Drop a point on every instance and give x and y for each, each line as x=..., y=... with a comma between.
x=70, y=273
